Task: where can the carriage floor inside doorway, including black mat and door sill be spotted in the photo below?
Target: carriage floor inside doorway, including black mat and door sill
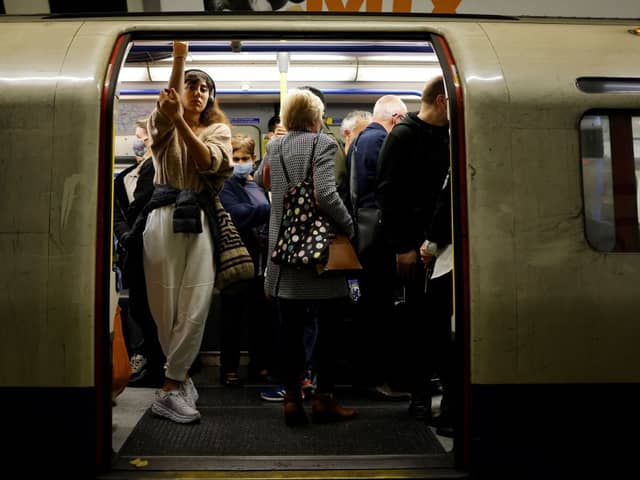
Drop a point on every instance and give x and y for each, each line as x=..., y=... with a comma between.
x=239, y=431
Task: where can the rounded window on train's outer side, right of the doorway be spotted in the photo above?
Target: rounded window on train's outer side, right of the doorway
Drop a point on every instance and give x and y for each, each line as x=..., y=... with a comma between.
x=610, y=152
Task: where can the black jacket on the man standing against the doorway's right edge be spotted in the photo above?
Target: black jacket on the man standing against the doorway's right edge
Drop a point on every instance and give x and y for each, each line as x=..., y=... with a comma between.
x=413, y=162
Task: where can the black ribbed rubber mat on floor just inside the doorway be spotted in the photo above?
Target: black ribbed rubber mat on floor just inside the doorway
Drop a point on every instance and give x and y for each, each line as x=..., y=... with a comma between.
x=237, y=422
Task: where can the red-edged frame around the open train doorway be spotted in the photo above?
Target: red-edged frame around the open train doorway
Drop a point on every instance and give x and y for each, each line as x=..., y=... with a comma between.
x=448, y=66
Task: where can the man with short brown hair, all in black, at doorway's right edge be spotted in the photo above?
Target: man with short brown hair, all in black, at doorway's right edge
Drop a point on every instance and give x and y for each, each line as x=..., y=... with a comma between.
x=413, y=163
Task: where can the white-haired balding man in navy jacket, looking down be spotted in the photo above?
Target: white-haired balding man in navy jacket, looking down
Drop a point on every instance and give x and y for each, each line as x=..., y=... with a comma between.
x=375, y=307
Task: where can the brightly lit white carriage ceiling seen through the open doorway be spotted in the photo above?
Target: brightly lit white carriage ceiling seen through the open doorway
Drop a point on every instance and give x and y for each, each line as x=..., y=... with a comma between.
x=244, y=69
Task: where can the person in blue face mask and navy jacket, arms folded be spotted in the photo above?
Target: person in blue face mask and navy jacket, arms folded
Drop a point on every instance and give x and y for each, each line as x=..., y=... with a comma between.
x=249, y=207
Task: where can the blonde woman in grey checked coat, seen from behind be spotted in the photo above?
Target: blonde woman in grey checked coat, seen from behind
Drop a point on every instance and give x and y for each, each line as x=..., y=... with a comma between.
x=301, y=292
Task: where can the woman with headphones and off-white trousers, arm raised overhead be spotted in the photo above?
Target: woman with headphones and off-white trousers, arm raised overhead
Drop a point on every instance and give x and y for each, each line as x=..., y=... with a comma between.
x=191, y=144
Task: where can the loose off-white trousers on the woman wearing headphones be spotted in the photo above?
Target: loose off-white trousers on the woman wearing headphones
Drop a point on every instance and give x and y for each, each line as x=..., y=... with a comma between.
x=180, y=274
